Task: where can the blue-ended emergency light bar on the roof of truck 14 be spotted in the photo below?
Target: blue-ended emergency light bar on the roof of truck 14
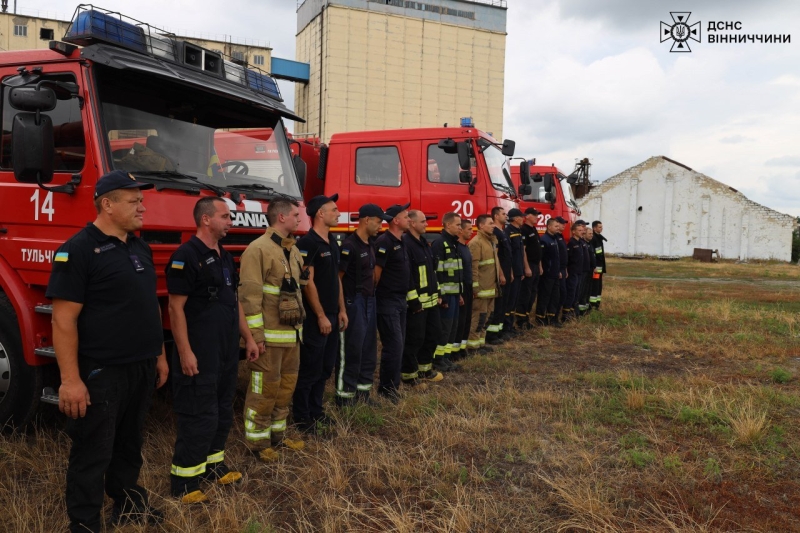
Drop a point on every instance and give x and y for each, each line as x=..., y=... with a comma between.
x=91, y=25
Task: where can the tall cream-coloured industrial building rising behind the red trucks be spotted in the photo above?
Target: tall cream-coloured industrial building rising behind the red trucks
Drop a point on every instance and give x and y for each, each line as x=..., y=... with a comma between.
x=380, y=64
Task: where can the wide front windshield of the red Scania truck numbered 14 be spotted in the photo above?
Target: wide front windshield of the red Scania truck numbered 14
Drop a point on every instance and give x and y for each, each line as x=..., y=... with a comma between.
x=164, y=129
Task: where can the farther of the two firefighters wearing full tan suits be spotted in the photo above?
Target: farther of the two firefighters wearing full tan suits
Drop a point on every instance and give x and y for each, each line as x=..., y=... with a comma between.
x=486, y=283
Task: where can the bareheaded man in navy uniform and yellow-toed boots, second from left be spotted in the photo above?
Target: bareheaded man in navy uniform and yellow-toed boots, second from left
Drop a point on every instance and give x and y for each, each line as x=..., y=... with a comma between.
x=207, y=321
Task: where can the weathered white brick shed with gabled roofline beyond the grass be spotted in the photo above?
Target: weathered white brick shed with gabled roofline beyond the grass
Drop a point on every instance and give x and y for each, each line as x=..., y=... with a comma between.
x=662, y=207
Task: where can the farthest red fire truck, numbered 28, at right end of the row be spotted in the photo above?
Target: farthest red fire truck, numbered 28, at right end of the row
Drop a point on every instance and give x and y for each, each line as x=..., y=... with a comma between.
x=548, y=191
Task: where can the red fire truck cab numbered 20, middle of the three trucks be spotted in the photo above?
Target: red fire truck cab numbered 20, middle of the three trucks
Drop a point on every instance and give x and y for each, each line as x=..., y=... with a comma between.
x=437, y=170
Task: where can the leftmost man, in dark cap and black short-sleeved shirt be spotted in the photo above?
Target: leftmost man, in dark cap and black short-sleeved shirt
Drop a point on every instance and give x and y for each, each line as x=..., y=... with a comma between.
x=109, y=344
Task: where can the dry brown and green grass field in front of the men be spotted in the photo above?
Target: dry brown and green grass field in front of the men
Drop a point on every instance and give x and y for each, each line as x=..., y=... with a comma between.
x=663, y=413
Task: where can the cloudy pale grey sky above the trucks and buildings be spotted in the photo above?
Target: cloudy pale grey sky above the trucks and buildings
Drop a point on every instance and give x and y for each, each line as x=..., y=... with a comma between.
x=589, y=78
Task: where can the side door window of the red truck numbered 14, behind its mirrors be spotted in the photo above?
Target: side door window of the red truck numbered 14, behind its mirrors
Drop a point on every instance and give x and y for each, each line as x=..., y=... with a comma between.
x=68, y=132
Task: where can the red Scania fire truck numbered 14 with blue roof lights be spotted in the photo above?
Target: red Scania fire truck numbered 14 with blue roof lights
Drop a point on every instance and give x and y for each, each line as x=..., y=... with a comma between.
x=117, y=93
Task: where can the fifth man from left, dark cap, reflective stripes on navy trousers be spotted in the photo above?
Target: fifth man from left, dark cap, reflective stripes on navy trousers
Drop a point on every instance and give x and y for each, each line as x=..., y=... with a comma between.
x=359, y=357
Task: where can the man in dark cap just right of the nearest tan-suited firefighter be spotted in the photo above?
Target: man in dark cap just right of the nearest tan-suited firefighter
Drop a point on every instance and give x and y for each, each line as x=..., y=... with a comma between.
x=326, y=316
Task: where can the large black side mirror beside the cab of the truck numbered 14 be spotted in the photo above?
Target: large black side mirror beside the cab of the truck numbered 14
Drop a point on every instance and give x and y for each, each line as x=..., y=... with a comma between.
x=33, y=150
